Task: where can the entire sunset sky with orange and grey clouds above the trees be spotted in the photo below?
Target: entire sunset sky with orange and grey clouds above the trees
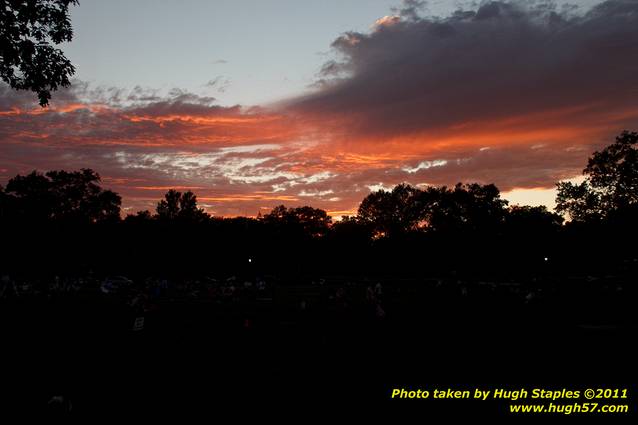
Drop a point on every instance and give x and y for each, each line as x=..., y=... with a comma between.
x=252, y=104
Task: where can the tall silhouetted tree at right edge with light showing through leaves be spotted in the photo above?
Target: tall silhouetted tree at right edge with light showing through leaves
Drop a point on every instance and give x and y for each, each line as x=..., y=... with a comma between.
x=611, y=184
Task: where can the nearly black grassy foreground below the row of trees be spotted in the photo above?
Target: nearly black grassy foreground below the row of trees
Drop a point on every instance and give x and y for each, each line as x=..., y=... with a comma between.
x=320, y=345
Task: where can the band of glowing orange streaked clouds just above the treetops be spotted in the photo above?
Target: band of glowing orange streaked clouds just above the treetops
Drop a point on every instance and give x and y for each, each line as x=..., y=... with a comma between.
x=232, y=158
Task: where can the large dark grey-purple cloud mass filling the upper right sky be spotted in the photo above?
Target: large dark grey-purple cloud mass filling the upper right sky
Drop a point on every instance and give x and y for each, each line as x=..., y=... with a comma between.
x=497, y=60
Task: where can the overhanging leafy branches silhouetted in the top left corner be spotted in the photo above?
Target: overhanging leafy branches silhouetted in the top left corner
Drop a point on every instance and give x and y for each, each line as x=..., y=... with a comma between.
x=28, y=61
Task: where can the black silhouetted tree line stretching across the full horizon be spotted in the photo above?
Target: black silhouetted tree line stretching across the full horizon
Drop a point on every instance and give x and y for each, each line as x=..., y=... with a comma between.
x=467, y=225
